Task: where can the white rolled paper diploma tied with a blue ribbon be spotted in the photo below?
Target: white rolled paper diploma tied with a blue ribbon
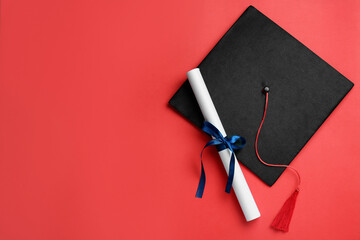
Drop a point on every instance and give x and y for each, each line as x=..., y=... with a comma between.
x=208, y=110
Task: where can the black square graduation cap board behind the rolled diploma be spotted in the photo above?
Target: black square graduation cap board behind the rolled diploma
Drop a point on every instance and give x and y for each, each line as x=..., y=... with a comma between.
x=255, y=52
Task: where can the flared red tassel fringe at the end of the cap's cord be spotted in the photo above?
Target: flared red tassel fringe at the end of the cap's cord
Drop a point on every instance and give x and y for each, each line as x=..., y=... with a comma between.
x=282, y=220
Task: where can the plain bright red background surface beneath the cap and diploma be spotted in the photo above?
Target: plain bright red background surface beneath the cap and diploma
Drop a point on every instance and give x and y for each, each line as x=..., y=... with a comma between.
x=89, y=148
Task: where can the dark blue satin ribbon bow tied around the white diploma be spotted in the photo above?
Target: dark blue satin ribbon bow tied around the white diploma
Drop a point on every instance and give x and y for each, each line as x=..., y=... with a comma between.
x=222, y=143
